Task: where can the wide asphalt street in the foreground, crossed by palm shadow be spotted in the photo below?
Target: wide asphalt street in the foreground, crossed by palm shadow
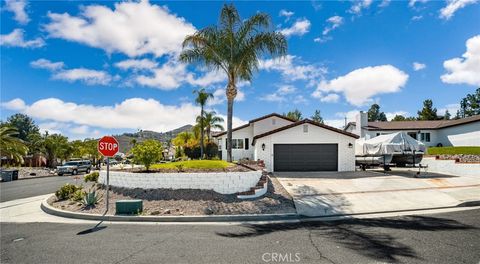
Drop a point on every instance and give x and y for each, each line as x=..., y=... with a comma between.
x=441, y=238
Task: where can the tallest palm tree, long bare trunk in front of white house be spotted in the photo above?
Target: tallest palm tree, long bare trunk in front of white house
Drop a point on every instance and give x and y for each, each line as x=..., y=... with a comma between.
x=234, y=47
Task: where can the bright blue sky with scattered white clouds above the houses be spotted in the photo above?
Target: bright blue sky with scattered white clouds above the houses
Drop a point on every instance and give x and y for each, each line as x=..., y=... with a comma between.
x=86, y=69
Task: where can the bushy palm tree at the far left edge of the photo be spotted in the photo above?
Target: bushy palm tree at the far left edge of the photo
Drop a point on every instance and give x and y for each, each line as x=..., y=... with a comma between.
x=11, y=146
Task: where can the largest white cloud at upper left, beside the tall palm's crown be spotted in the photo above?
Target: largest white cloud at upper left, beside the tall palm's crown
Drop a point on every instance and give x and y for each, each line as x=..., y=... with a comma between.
x=132, y=28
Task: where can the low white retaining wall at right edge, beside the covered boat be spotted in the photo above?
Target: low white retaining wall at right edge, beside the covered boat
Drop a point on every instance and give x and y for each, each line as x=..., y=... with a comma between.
x=451, y=167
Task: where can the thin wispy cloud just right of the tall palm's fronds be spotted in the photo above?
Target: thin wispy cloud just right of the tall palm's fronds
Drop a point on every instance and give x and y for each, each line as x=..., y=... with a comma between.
x=290, y=70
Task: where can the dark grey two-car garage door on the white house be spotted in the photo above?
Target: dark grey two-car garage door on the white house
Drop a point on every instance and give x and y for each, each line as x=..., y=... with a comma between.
x=305, y=157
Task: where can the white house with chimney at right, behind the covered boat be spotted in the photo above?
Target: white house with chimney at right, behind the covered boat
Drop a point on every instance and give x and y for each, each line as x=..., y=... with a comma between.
x=455, y=132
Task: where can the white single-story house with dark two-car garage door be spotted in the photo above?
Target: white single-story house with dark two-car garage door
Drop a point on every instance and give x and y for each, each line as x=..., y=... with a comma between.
x=289, y=145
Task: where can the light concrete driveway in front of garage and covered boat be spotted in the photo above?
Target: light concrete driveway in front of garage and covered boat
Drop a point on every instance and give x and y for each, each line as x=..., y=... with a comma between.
x=337, y=193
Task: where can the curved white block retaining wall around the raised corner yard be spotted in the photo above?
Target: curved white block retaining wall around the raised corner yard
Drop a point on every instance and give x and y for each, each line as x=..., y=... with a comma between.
x=221, y=182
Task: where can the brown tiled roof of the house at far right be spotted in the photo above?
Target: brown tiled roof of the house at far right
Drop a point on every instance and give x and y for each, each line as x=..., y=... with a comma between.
x=420, y=124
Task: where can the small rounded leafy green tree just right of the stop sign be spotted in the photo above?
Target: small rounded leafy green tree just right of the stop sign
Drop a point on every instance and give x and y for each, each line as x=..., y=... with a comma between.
x=147, y=152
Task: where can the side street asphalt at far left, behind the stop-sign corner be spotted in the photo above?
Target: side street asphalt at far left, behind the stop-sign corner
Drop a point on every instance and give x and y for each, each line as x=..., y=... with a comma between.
x=32, y=187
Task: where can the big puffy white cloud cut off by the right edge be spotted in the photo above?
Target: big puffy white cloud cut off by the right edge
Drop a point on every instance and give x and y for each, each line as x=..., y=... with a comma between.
x=466, y=69
